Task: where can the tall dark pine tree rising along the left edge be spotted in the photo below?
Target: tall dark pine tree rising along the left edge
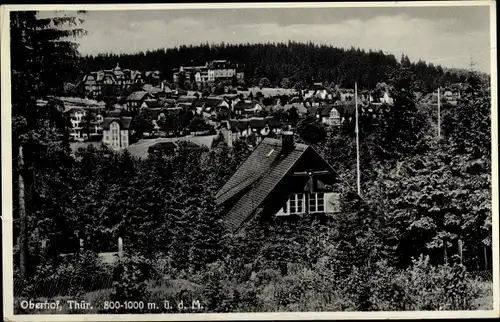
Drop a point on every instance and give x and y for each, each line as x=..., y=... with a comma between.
x=41, y=60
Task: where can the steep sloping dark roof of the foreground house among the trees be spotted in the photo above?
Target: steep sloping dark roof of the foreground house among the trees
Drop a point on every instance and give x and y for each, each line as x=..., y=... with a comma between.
x=258, y=175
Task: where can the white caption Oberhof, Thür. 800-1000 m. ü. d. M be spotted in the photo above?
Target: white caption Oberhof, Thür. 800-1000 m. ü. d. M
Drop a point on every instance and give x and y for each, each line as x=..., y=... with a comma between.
x=113, y=305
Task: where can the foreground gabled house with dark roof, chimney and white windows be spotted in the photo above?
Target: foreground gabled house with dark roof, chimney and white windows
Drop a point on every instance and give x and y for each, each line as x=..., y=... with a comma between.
x=280, y=178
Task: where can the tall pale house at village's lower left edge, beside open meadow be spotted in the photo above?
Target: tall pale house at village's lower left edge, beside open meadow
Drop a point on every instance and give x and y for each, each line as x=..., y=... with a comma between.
x=116, y=132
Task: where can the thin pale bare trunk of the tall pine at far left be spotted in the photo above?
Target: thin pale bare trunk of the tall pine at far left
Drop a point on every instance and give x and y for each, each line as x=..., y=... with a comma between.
x=23, y=241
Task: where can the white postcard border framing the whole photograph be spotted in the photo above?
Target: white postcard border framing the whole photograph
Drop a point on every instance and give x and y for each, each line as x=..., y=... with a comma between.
x=6, y=157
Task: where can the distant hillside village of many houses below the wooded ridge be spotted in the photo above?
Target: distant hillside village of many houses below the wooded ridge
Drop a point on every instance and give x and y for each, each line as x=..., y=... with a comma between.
x=148, y=110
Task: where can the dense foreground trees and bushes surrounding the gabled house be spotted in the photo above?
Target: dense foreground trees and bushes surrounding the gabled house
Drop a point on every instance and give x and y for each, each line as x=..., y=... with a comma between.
x=412, y=242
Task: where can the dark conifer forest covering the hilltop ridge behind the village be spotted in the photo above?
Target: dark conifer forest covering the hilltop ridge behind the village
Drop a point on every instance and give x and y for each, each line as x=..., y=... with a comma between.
x=299, y=63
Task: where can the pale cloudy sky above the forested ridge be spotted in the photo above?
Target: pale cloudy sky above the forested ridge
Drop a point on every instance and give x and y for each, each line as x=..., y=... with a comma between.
x=449, y=36
